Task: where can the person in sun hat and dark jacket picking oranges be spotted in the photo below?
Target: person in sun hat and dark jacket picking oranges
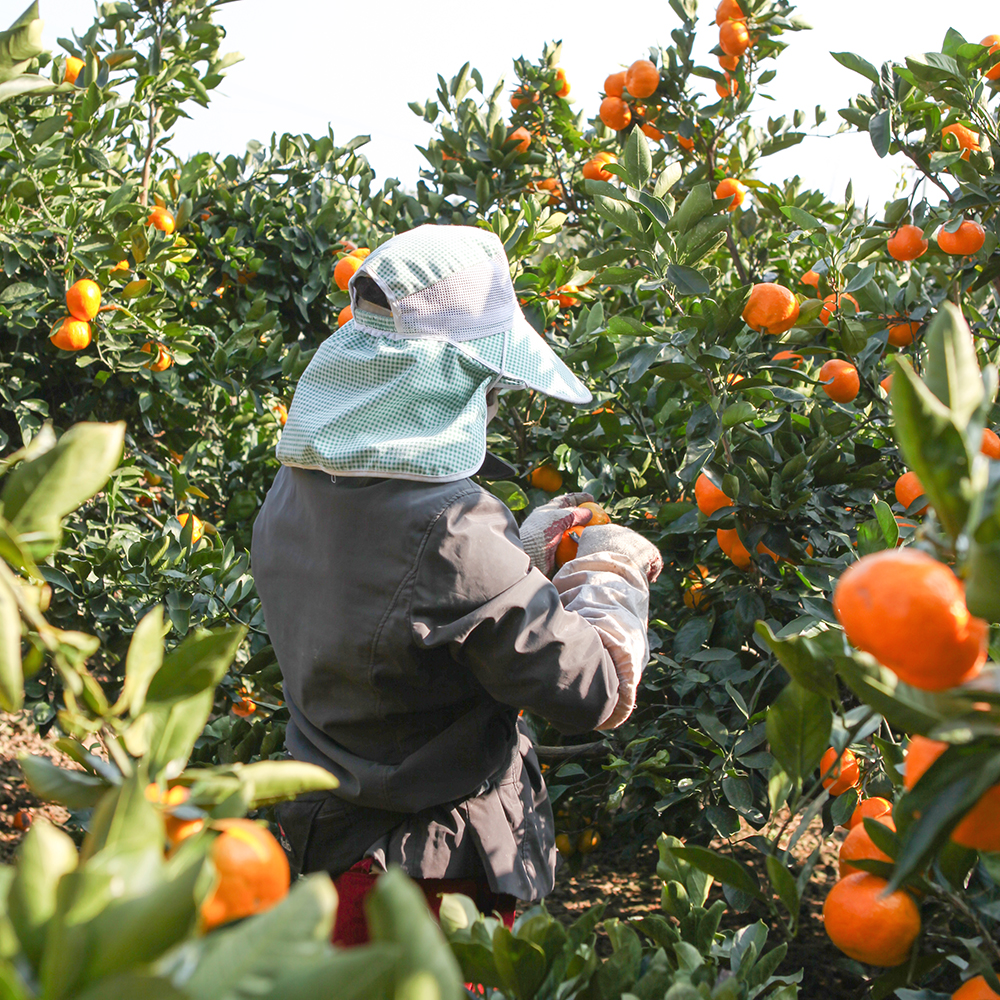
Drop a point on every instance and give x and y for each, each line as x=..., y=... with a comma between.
x=410, y=615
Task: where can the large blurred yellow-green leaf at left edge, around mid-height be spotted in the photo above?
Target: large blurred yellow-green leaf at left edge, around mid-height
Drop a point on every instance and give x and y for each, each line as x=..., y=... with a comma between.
x=41, y=492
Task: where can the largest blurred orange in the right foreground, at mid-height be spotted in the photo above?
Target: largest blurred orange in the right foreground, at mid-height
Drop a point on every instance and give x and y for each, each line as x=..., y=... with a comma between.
x=908, y=610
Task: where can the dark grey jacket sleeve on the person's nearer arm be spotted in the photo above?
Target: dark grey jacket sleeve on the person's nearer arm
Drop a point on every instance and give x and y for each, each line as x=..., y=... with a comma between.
x=475, y=592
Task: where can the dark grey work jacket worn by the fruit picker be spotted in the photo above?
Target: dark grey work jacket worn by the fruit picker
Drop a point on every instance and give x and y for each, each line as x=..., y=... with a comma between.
x=410, y=627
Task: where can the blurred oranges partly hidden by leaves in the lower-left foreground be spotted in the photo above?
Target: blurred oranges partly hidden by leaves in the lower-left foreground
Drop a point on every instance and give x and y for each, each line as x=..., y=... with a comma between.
x=252, y=872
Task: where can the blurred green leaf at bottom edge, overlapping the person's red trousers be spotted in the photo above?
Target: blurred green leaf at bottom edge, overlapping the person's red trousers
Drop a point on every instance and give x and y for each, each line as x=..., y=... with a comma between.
x=397, y=913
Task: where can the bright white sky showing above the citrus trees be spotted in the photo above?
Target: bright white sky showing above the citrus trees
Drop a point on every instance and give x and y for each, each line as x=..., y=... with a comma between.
x=310, y=63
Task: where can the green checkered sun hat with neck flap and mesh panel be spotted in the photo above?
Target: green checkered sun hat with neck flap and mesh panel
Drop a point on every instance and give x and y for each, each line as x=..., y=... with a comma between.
x=401, y=392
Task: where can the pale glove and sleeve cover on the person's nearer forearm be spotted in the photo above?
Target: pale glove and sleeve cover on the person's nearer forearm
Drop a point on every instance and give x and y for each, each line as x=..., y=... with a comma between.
x=607, y=583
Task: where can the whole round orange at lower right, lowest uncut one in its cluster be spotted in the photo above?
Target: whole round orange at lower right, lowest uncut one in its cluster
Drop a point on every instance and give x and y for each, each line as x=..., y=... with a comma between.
x=868, y=925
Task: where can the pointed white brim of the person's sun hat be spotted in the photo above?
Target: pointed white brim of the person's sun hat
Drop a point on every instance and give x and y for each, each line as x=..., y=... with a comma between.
x=522, y=359
